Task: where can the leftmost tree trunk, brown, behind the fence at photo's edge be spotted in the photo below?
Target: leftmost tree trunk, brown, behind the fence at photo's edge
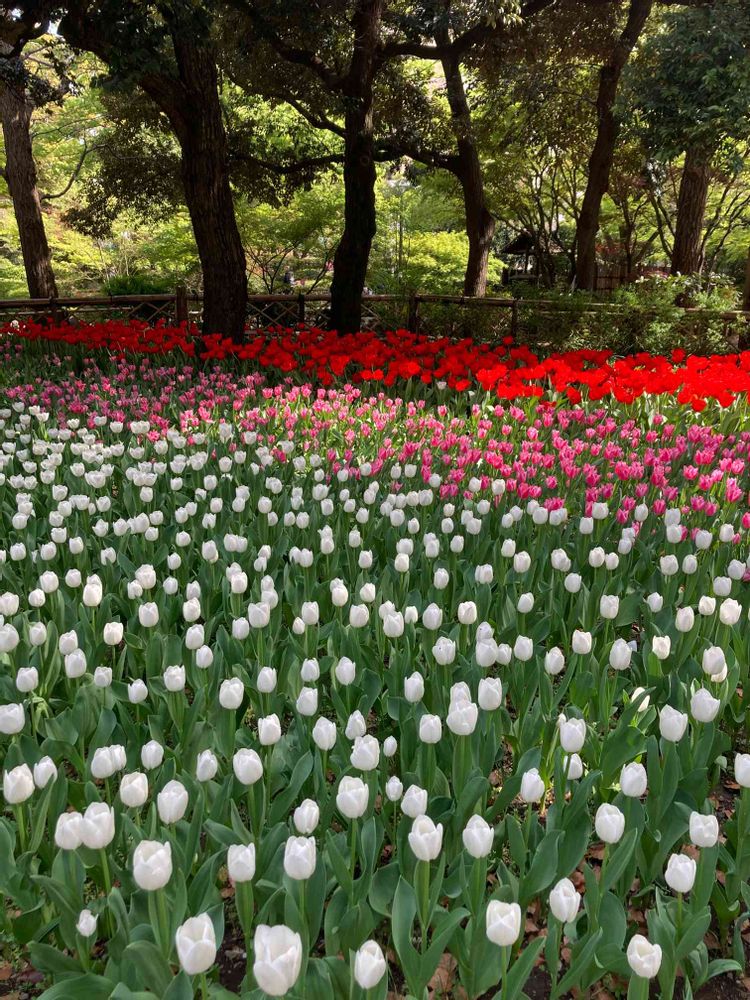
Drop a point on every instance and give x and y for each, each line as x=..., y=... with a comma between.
x=20, y=174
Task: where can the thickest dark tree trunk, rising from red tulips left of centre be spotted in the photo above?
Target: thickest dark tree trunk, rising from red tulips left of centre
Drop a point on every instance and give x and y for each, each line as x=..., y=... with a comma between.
x=208, y=193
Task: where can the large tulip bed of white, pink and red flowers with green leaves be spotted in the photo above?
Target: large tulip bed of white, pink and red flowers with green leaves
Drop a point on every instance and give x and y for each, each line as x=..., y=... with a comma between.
x=374, y=692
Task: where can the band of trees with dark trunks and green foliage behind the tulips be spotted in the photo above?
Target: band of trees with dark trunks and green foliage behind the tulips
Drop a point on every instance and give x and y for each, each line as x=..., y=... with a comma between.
x=389, y=143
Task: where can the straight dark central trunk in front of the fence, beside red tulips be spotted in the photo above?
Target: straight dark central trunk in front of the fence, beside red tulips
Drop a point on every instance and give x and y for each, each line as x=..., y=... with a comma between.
x=353, y=252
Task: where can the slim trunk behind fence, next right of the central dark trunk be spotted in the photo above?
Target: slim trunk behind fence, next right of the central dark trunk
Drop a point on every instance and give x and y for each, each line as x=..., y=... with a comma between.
x=480, y=223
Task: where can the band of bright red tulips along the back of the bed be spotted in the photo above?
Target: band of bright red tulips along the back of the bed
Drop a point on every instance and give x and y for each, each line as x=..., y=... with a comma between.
x=507, y=370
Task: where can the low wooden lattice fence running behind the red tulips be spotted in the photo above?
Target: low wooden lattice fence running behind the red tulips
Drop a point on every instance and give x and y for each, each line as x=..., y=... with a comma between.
x=454, y=315
